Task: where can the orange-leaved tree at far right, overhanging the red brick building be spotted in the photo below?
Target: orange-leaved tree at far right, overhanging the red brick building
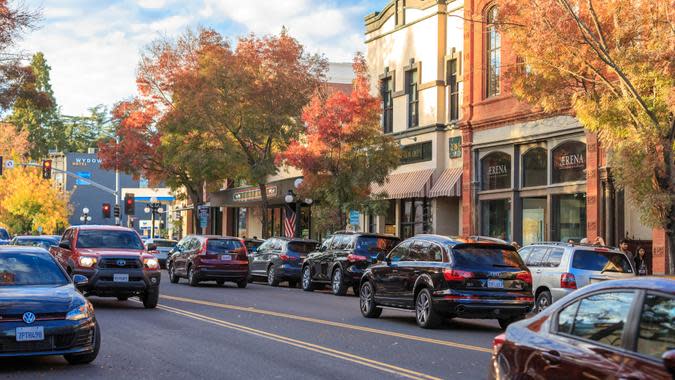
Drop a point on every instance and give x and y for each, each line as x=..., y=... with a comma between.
x=613, y=63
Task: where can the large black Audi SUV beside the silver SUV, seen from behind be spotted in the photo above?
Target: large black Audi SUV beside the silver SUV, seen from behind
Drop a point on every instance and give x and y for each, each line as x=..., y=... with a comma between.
x=440, y=276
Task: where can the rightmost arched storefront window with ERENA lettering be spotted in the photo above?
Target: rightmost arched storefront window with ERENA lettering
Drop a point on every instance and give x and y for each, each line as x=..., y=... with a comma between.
x=569, y=162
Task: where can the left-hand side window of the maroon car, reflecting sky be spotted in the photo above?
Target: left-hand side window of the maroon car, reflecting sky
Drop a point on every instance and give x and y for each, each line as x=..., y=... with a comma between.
x=602, y=317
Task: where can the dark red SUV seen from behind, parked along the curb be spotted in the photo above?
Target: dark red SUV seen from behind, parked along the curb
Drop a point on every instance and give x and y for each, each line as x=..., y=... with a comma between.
x=209, y=258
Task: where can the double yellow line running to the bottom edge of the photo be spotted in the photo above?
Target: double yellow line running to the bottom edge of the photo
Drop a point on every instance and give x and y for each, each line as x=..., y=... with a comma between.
x=304, y=345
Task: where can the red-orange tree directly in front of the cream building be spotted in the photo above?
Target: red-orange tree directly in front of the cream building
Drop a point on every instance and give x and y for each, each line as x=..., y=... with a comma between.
x=343, y=150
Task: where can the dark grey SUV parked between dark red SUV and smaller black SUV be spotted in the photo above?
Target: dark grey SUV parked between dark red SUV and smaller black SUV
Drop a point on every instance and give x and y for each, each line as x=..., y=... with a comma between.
x=280, y=259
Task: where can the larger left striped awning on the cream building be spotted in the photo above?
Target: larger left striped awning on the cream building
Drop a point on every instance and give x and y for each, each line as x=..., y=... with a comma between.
x=405, y=185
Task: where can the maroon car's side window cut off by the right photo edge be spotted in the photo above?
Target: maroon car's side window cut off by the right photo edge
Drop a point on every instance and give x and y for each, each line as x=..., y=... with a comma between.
x=656, y=333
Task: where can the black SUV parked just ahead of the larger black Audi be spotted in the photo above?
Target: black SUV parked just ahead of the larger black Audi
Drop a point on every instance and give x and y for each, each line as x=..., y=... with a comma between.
x=342, y=259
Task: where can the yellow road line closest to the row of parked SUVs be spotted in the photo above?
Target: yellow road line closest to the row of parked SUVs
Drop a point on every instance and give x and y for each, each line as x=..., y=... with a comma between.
x=441, y=342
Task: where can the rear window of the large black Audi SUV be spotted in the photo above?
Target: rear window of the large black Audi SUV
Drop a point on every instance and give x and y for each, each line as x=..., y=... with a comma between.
x=486, y=258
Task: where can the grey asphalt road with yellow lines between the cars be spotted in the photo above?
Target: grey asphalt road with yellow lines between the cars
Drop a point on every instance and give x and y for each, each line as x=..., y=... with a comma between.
x=213, y=332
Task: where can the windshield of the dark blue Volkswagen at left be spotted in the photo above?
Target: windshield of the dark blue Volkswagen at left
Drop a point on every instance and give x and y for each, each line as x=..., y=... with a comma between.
x=30, y=269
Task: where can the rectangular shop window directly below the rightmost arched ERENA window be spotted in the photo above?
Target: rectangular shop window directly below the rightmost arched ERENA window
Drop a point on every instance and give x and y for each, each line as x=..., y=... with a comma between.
x=569, y=217
